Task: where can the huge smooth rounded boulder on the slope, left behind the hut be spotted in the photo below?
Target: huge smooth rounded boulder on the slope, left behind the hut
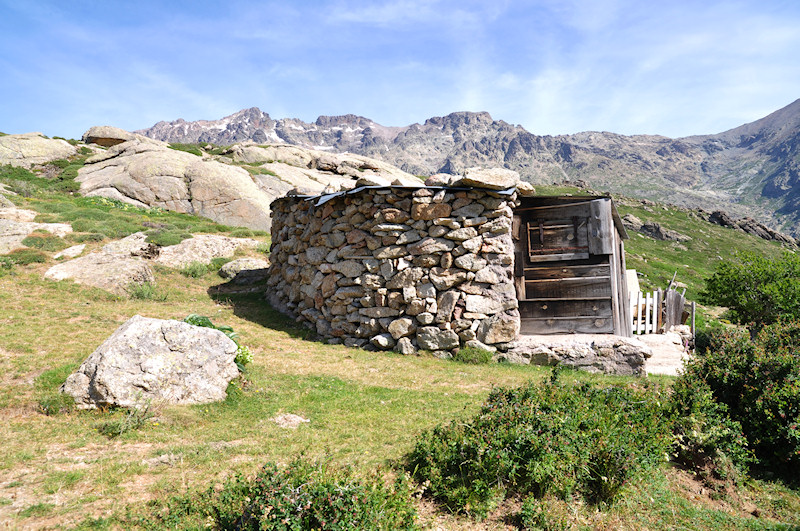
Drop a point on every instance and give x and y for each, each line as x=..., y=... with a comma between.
x=147, y=173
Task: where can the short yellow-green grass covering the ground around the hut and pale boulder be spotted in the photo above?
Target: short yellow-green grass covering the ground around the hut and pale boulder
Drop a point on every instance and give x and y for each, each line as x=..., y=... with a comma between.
x=365, y=408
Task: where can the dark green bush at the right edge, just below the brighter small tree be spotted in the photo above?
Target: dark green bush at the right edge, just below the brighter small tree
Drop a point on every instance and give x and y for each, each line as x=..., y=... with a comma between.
x=758, y=381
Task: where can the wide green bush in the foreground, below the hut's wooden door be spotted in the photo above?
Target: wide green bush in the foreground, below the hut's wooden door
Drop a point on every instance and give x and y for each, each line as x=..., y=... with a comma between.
x=539, y=440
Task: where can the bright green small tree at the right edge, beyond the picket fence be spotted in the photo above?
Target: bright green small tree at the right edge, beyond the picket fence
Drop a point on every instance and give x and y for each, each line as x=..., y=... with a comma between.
x=756, y=289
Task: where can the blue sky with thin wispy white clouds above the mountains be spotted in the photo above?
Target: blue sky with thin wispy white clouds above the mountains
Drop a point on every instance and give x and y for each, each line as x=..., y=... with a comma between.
x=674, y=68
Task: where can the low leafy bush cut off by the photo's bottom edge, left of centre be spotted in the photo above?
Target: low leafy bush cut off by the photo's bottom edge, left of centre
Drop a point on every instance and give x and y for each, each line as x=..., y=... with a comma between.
x=303, y=495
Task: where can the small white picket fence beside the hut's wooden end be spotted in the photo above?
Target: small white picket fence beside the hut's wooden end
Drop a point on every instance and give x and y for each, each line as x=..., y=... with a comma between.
x=658, y=311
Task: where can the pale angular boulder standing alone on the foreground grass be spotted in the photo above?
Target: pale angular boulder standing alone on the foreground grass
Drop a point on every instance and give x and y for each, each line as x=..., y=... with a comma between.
x=161, y=361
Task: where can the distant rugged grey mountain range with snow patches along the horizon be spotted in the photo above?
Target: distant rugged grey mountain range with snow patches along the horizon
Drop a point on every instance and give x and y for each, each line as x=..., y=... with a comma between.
x=750, y=171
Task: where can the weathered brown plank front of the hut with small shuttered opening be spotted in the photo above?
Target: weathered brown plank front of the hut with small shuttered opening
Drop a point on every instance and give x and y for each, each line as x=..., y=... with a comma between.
x=569, y=266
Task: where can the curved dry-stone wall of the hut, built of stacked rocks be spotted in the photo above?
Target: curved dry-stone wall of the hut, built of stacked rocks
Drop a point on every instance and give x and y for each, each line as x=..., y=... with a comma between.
x=398, y=268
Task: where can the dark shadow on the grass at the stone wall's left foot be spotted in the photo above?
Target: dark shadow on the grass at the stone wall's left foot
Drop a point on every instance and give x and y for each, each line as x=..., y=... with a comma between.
x=255, y=308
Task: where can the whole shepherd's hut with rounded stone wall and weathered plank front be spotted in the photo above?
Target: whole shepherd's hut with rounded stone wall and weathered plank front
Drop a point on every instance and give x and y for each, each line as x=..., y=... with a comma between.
x=439, y=268
